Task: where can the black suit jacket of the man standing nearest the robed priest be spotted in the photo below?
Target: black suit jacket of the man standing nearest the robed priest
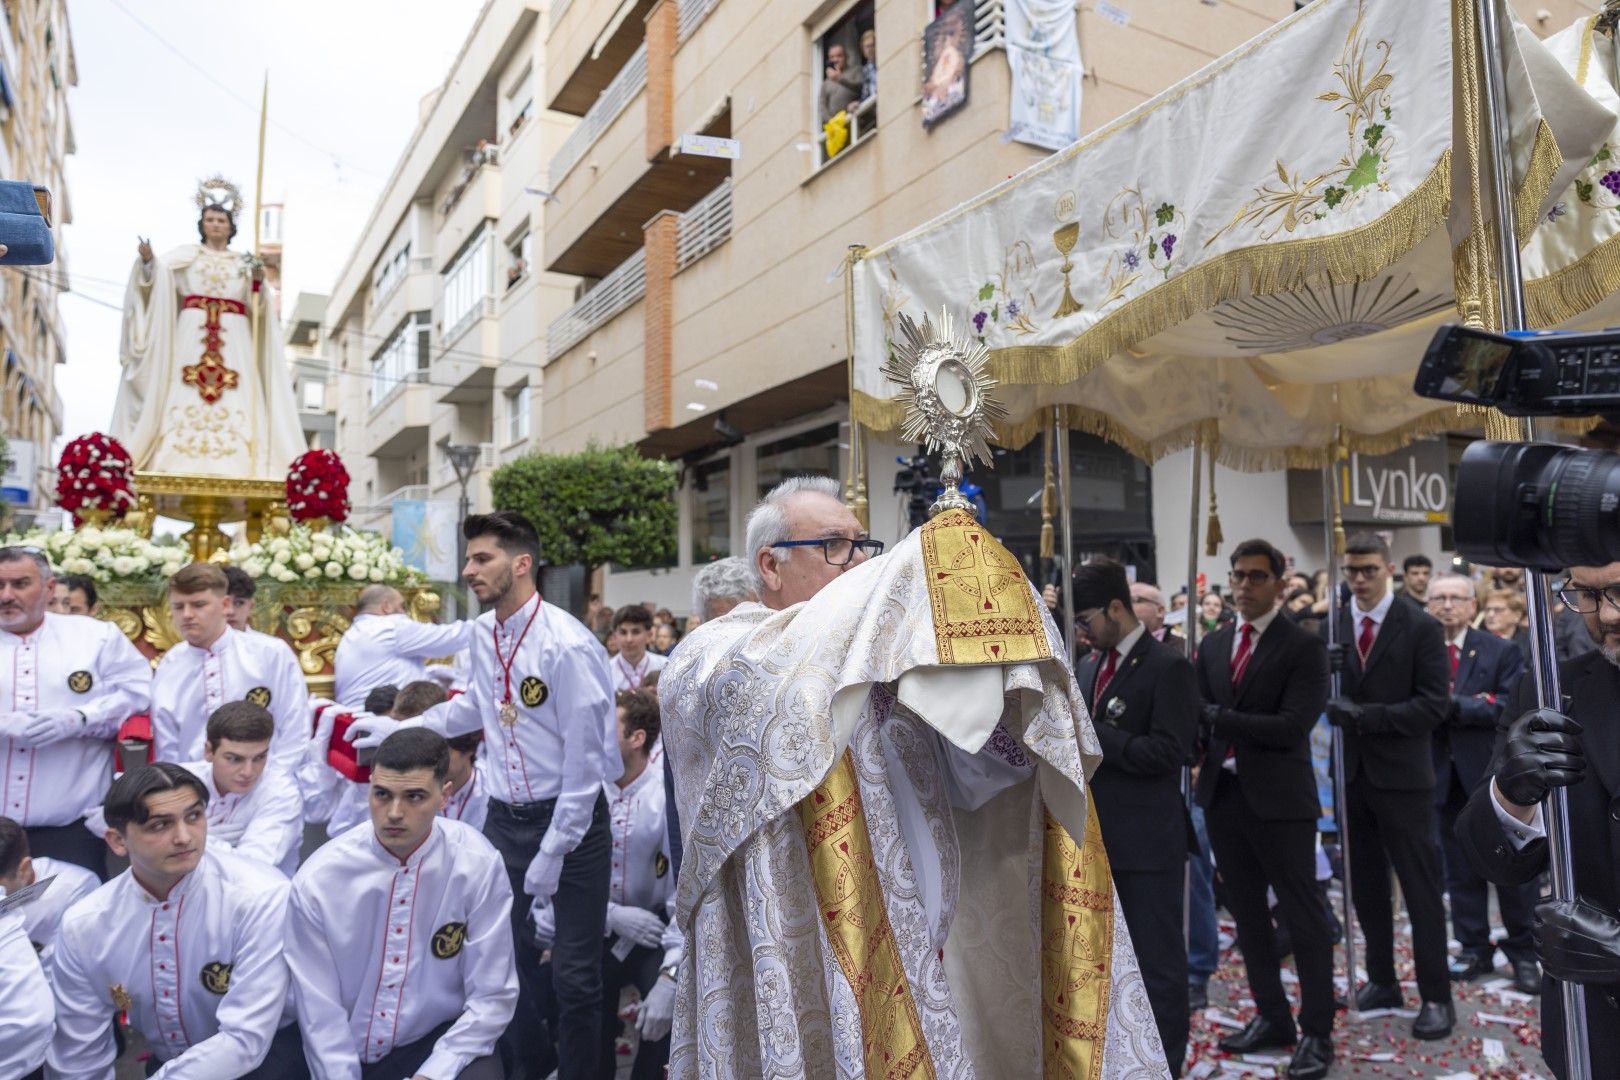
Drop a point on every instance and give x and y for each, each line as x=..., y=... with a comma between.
x=1146, y=723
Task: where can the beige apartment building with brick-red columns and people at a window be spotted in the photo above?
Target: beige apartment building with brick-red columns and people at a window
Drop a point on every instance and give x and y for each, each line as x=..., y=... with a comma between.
x=710, y=325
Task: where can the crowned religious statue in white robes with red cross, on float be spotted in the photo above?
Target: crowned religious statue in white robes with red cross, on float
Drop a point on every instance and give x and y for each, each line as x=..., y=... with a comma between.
x=205, y=391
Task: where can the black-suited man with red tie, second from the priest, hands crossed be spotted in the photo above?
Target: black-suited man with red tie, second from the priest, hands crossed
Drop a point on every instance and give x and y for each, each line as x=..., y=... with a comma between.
x=1264, y=684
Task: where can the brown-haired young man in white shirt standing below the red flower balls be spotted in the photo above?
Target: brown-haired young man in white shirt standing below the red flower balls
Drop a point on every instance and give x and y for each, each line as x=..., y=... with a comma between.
x=216, y=665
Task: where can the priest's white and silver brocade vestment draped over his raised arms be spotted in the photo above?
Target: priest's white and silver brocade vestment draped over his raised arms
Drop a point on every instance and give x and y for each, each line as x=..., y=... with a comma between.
x=957, y=768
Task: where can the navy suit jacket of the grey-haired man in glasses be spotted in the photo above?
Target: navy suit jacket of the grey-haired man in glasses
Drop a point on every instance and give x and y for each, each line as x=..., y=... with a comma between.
x=1488, y=670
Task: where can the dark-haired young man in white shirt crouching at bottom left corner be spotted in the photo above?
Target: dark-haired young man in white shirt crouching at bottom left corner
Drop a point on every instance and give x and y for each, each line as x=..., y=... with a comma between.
x=187, y=942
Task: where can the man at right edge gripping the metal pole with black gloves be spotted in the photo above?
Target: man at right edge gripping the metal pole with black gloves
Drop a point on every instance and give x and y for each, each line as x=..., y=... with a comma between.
x=1503, y=833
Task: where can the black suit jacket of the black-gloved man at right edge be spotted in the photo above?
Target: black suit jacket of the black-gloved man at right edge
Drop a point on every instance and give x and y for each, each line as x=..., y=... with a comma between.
x=1593, y=687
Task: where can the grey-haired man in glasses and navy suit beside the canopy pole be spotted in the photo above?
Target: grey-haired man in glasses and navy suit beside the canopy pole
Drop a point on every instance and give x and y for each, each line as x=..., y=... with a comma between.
x=1485, y=671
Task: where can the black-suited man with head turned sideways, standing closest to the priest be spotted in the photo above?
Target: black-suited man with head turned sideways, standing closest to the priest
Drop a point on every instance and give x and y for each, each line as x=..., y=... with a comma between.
x=1146, y=712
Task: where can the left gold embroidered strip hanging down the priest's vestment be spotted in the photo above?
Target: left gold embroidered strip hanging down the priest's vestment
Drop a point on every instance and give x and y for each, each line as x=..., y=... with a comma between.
x=858, y=927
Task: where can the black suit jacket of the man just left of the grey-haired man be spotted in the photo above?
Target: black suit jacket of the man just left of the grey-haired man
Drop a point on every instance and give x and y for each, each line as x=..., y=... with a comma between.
x=1404, y=689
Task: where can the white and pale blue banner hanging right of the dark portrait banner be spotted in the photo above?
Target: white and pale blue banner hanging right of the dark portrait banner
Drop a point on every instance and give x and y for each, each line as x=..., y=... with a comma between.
x=1044, y=54
